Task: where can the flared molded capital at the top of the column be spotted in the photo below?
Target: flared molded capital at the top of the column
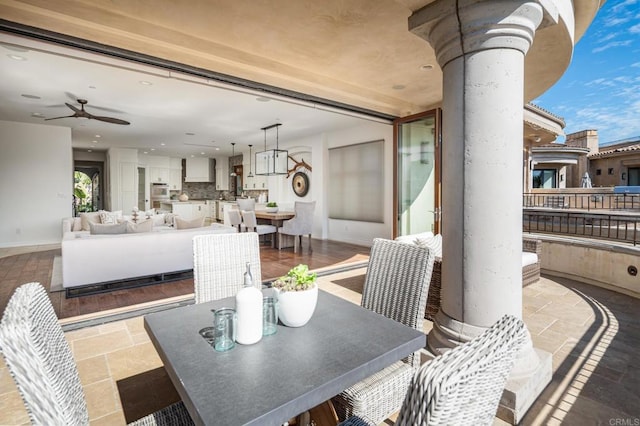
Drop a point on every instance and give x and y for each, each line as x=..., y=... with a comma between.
x=456, y=28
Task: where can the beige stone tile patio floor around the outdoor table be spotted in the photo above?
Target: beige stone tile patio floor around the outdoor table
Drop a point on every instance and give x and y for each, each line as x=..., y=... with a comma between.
x=593, y=334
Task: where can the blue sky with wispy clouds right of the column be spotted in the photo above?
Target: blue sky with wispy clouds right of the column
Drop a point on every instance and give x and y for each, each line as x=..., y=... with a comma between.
x=601, y=88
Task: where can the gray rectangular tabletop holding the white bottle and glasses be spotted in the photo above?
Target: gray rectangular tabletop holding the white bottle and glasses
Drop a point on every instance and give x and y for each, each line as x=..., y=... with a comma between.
x=282, y=375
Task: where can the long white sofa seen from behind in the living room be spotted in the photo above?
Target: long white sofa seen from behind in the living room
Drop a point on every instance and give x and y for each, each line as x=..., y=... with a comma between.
x=91, y=259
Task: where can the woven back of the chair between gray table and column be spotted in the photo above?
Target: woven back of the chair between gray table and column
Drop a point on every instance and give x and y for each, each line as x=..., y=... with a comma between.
x=397, y=283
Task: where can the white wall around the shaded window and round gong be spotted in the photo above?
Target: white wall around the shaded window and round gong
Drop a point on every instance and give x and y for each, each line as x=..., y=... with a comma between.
x=314, y=150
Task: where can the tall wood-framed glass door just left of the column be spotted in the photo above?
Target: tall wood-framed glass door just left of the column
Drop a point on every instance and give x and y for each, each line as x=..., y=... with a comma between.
x=418, y=189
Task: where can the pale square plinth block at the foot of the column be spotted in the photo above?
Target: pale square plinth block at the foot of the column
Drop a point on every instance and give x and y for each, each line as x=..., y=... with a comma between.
x=520, y=393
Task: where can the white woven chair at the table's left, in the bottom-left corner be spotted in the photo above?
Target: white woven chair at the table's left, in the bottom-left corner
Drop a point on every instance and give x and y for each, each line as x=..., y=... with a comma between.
x=42, y=364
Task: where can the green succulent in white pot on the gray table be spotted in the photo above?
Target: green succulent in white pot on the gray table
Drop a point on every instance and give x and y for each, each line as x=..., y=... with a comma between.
x=297, y=294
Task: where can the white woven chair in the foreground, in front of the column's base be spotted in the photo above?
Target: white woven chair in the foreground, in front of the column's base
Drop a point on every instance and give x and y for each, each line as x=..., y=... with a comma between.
x=464, y=385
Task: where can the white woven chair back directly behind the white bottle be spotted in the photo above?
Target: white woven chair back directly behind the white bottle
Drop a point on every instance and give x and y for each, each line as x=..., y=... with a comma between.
x=219, y=264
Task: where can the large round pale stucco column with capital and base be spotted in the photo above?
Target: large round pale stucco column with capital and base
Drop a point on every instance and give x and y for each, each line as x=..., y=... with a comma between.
x=480, y=46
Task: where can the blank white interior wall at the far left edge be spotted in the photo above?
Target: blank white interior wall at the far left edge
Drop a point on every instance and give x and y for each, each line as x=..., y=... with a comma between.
x=36, y=183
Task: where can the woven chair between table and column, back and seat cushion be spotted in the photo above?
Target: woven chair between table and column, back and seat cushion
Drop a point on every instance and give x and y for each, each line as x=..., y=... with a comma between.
x=396, y=286
